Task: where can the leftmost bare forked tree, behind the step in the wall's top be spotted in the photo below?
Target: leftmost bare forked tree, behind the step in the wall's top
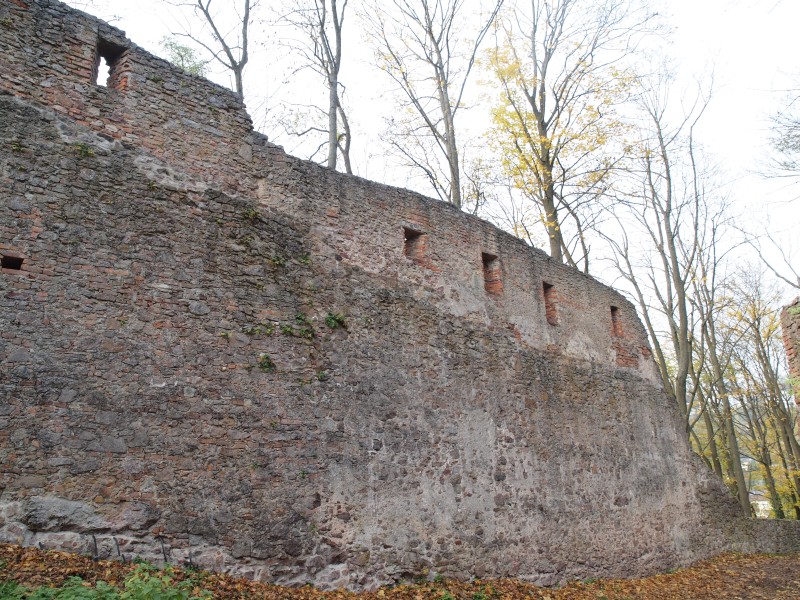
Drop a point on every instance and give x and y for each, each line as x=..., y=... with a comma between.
x=229, y=47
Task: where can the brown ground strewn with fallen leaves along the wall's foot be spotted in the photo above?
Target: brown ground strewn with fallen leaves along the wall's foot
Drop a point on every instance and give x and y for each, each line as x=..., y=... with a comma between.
x=727, y=576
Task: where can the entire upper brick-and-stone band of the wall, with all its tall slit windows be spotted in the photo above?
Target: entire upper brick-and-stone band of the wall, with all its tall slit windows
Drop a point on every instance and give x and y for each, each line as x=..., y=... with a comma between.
x=187, y=121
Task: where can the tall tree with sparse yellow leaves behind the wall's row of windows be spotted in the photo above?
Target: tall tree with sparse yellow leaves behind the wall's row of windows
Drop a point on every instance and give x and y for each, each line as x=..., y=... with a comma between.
x=558, y=69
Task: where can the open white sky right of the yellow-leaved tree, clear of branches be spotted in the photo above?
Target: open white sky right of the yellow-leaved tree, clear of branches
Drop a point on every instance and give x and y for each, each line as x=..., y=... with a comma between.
x=754, y=50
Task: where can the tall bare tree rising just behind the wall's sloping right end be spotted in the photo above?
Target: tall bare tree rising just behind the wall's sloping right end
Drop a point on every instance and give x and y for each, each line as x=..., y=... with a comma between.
x=669, y=209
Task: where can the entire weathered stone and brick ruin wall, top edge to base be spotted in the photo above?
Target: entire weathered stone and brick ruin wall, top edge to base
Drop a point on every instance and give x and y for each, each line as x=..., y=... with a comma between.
x=174, y=367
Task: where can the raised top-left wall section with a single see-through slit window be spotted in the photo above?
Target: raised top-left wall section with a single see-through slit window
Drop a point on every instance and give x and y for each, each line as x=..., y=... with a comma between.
x=51, y=55
